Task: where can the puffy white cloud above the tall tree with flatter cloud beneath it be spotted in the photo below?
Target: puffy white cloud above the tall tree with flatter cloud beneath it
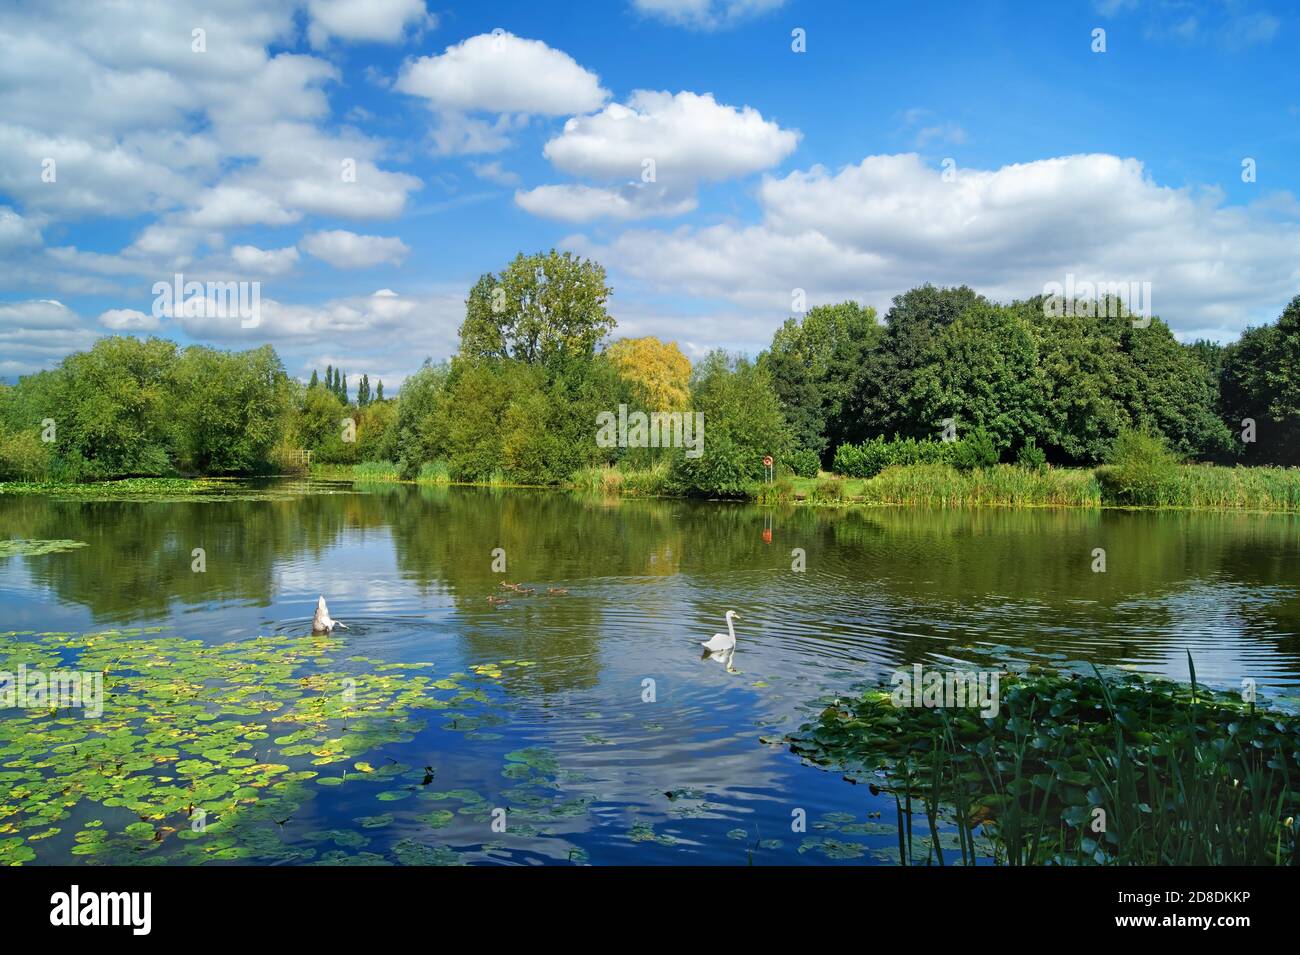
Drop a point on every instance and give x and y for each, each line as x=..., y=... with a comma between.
x=662, y=146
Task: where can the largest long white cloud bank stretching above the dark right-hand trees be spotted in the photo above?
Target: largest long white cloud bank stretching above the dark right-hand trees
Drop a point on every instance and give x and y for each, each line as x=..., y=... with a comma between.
x=1007, y=232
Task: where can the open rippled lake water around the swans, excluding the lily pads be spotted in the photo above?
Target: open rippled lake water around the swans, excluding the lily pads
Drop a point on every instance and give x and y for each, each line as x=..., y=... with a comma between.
x=410, y=570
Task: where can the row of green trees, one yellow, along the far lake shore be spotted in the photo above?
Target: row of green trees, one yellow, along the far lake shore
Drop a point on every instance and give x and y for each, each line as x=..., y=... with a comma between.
x=536, y=366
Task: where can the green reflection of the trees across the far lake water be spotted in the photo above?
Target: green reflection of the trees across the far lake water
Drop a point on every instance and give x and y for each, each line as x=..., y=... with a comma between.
x=921, y=574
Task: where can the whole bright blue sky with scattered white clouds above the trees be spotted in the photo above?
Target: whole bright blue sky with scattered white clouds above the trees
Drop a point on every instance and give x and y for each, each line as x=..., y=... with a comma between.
x=482, y=131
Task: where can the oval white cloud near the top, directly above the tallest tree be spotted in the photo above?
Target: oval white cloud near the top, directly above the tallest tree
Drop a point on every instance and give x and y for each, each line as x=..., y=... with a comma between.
x=502, y=73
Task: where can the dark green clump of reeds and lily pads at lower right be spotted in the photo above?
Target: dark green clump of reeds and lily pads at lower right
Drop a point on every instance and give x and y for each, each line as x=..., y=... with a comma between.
x=1076, y=771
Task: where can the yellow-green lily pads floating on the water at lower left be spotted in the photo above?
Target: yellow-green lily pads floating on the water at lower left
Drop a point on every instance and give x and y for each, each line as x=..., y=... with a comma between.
x=205, y=753
